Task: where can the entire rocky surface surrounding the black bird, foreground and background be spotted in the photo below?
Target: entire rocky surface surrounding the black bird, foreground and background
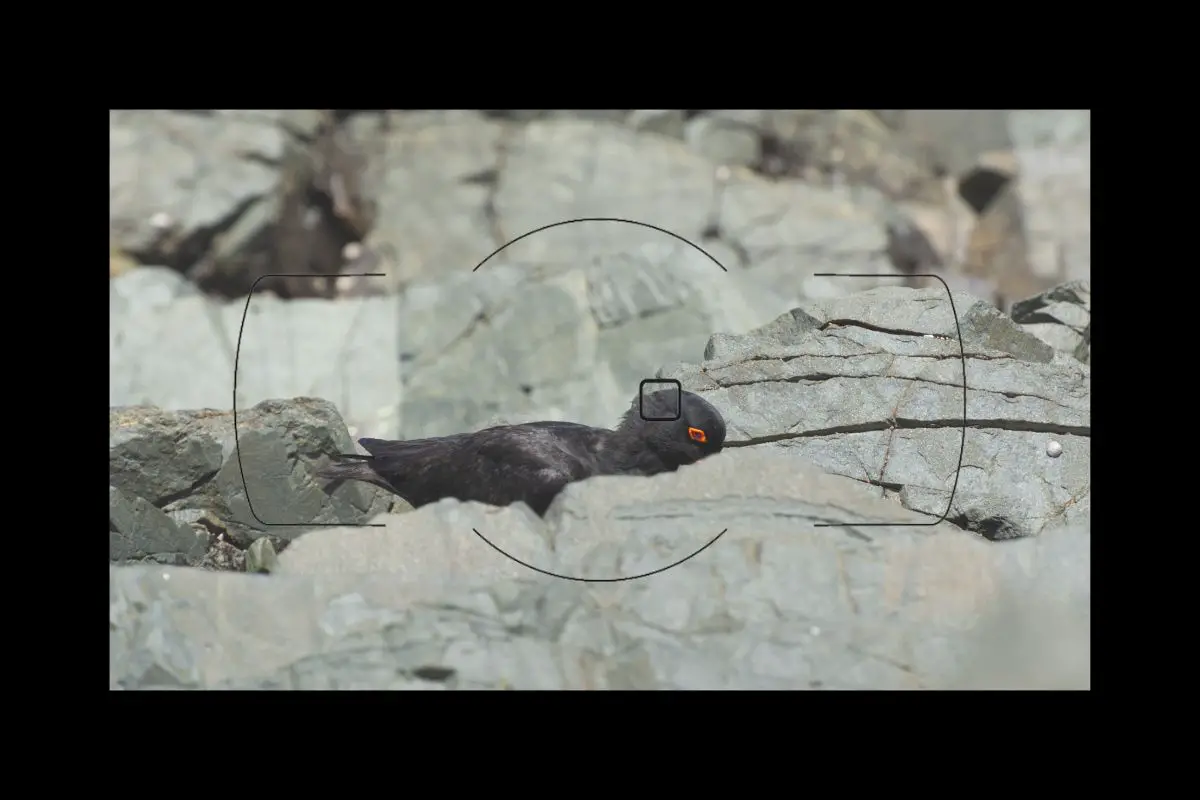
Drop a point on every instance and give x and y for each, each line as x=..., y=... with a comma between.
x=823, y=550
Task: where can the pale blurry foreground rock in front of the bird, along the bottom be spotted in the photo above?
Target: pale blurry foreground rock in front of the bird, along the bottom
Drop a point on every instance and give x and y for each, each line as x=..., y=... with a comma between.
x=776, y=604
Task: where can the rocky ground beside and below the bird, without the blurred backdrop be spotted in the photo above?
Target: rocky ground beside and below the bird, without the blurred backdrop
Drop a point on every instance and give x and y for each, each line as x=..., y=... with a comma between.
x=809, y=555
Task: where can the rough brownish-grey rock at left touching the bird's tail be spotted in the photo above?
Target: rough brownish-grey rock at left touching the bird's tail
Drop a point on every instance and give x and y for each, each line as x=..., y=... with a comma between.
x=187, y=464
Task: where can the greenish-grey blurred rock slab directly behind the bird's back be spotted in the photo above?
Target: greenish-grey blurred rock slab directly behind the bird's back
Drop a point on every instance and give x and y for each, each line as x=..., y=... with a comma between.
x=572, y=345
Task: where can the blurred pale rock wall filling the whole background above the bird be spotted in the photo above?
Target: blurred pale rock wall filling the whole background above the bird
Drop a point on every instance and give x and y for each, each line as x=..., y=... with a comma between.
x=567, y=322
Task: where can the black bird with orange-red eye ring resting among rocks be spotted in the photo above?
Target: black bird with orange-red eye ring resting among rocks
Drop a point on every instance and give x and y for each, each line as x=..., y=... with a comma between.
x=535, y=461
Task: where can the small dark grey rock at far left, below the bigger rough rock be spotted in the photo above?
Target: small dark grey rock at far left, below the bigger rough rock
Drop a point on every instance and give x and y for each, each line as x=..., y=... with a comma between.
x=140, y=531
